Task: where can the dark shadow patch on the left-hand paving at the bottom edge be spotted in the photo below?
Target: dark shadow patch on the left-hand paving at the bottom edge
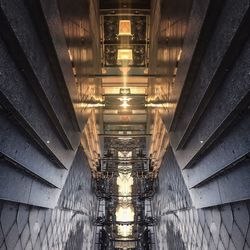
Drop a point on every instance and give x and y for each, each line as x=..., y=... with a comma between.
x=76, y=238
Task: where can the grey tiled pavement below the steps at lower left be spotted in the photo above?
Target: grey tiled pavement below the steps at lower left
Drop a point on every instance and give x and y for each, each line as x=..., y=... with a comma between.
x=68, y=226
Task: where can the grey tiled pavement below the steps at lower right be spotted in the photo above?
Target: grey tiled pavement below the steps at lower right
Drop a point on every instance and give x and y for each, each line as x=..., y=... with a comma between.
x=181, y=226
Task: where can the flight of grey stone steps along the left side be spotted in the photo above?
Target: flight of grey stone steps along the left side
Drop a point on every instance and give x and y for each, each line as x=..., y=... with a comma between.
x=39, y=128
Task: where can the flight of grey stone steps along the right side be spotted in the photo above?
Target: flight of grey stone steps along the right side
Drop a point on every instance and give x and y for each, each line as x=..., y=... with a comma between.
x=209, y=118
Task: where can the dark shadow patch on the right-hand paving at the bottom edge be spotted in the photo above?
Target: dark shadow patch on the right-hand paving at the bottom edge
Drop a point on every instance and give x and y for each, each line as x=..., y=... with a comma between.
x=174, y=239
